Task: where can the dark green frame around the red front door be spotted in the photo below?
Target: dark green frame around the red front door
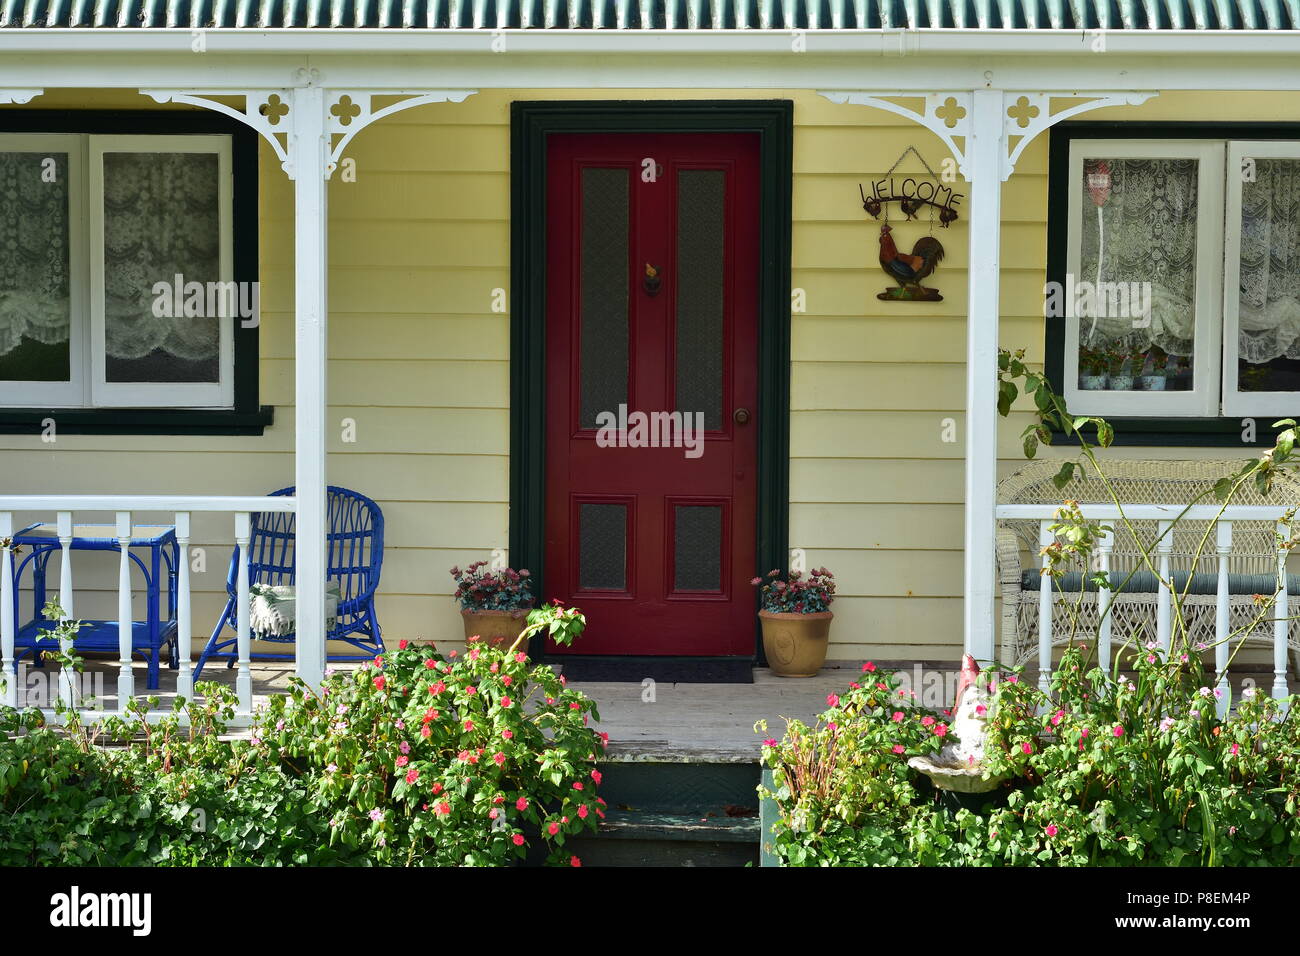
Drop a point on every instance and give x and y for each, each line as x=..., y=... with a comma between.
x=531, y=124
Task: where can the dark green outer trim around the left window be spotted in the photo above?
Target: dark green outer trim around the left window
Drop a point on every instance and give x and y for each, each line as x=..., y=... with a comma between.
x=248, y=417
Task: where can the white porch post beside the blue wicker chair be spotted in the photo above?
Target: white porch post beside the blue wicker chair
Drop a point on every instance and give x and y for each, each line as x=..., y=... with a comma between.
x=307, y=165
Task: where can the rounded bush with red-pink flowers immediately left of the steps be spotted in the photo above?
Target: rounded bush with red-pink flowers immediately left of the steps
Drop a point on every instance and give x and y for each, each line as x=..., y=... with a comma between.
x=450, y=762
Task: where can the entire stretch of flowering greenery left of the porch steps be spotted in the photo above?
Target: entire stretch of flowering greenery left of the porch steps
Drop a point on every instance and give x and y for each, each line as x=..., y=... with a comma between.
x=417, y=760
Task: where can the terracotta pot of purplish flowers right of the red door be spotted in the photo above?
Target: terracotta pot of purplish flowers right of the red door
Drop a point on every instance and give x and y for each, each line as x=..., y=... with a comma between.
x=796, y=620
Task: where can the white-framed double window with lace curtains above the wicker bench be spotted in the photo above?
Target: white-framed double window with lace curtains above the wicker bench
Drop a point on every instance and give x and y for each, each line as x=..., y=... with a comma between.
x=1182, y=279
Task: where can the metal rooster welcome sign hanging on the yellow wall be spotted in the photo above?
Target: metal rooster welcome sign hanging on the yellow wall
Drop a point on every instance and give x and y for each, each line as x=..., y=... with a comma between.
x=909, y=270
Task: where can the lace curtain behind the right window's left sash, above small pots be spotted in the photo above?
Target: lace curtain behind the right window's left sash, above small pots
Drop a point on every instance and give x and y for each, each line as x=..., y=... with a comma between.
x=1145, y=232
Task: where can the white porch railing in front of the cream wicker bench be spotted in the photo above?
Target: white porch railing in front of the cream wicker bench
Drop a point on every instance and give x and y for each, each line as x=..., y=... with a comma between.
x=1165, y=516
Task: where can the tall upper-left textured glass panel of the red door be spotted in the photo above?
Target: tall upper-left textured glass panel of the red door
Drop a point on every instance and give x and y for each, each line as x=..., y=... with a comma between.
x=604, y=334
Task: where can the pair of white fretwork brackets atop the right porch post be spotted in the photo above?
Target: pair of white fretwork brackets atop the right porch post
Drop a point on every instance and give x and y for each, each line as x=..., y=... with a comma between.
x=1025, y=115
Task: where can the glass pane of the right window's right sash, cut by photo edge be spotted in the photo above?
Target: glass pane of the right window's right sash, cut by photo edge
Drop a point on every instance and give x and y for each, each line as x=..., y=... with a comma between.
x=1269, y=295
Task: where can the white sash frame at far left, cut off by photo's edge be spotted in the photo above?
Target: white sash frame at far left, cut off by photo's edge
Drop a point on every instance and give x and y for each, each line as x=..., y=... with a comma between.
x=71, y=393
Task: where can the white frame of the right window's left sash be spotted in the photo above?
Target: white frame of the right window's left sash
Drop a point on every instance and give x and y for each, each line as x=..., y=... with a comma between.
x=1203, y=401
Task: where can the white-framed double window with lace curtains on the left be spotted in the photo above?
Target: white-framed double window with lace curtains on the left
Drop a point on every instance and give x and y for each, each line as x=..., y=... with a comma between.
x=103, y=243
